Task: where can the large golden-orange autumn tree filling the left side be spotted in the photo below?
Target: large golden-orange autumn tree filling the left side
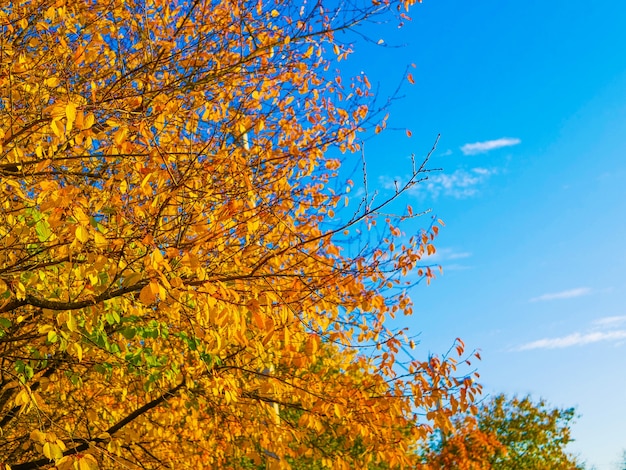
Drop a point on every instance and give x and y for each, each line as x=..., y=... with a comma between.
x=173, y=289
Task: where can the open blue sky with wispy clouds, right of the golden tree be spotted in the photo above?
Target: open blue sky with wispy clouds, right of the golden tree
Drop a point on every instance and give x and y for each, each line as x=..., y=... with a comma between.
x=530, y=101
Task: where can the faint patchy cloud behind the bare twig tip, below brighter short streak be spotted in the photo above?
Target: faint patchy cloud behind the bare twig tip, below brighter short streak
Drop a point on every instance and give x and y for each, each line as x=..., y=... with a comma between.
x=460, y=184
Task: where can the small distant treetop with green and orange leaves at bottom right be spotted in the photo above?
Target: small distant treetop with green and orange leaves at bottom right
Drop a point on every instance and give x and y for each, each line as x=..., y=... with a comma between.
x=508, y=434
